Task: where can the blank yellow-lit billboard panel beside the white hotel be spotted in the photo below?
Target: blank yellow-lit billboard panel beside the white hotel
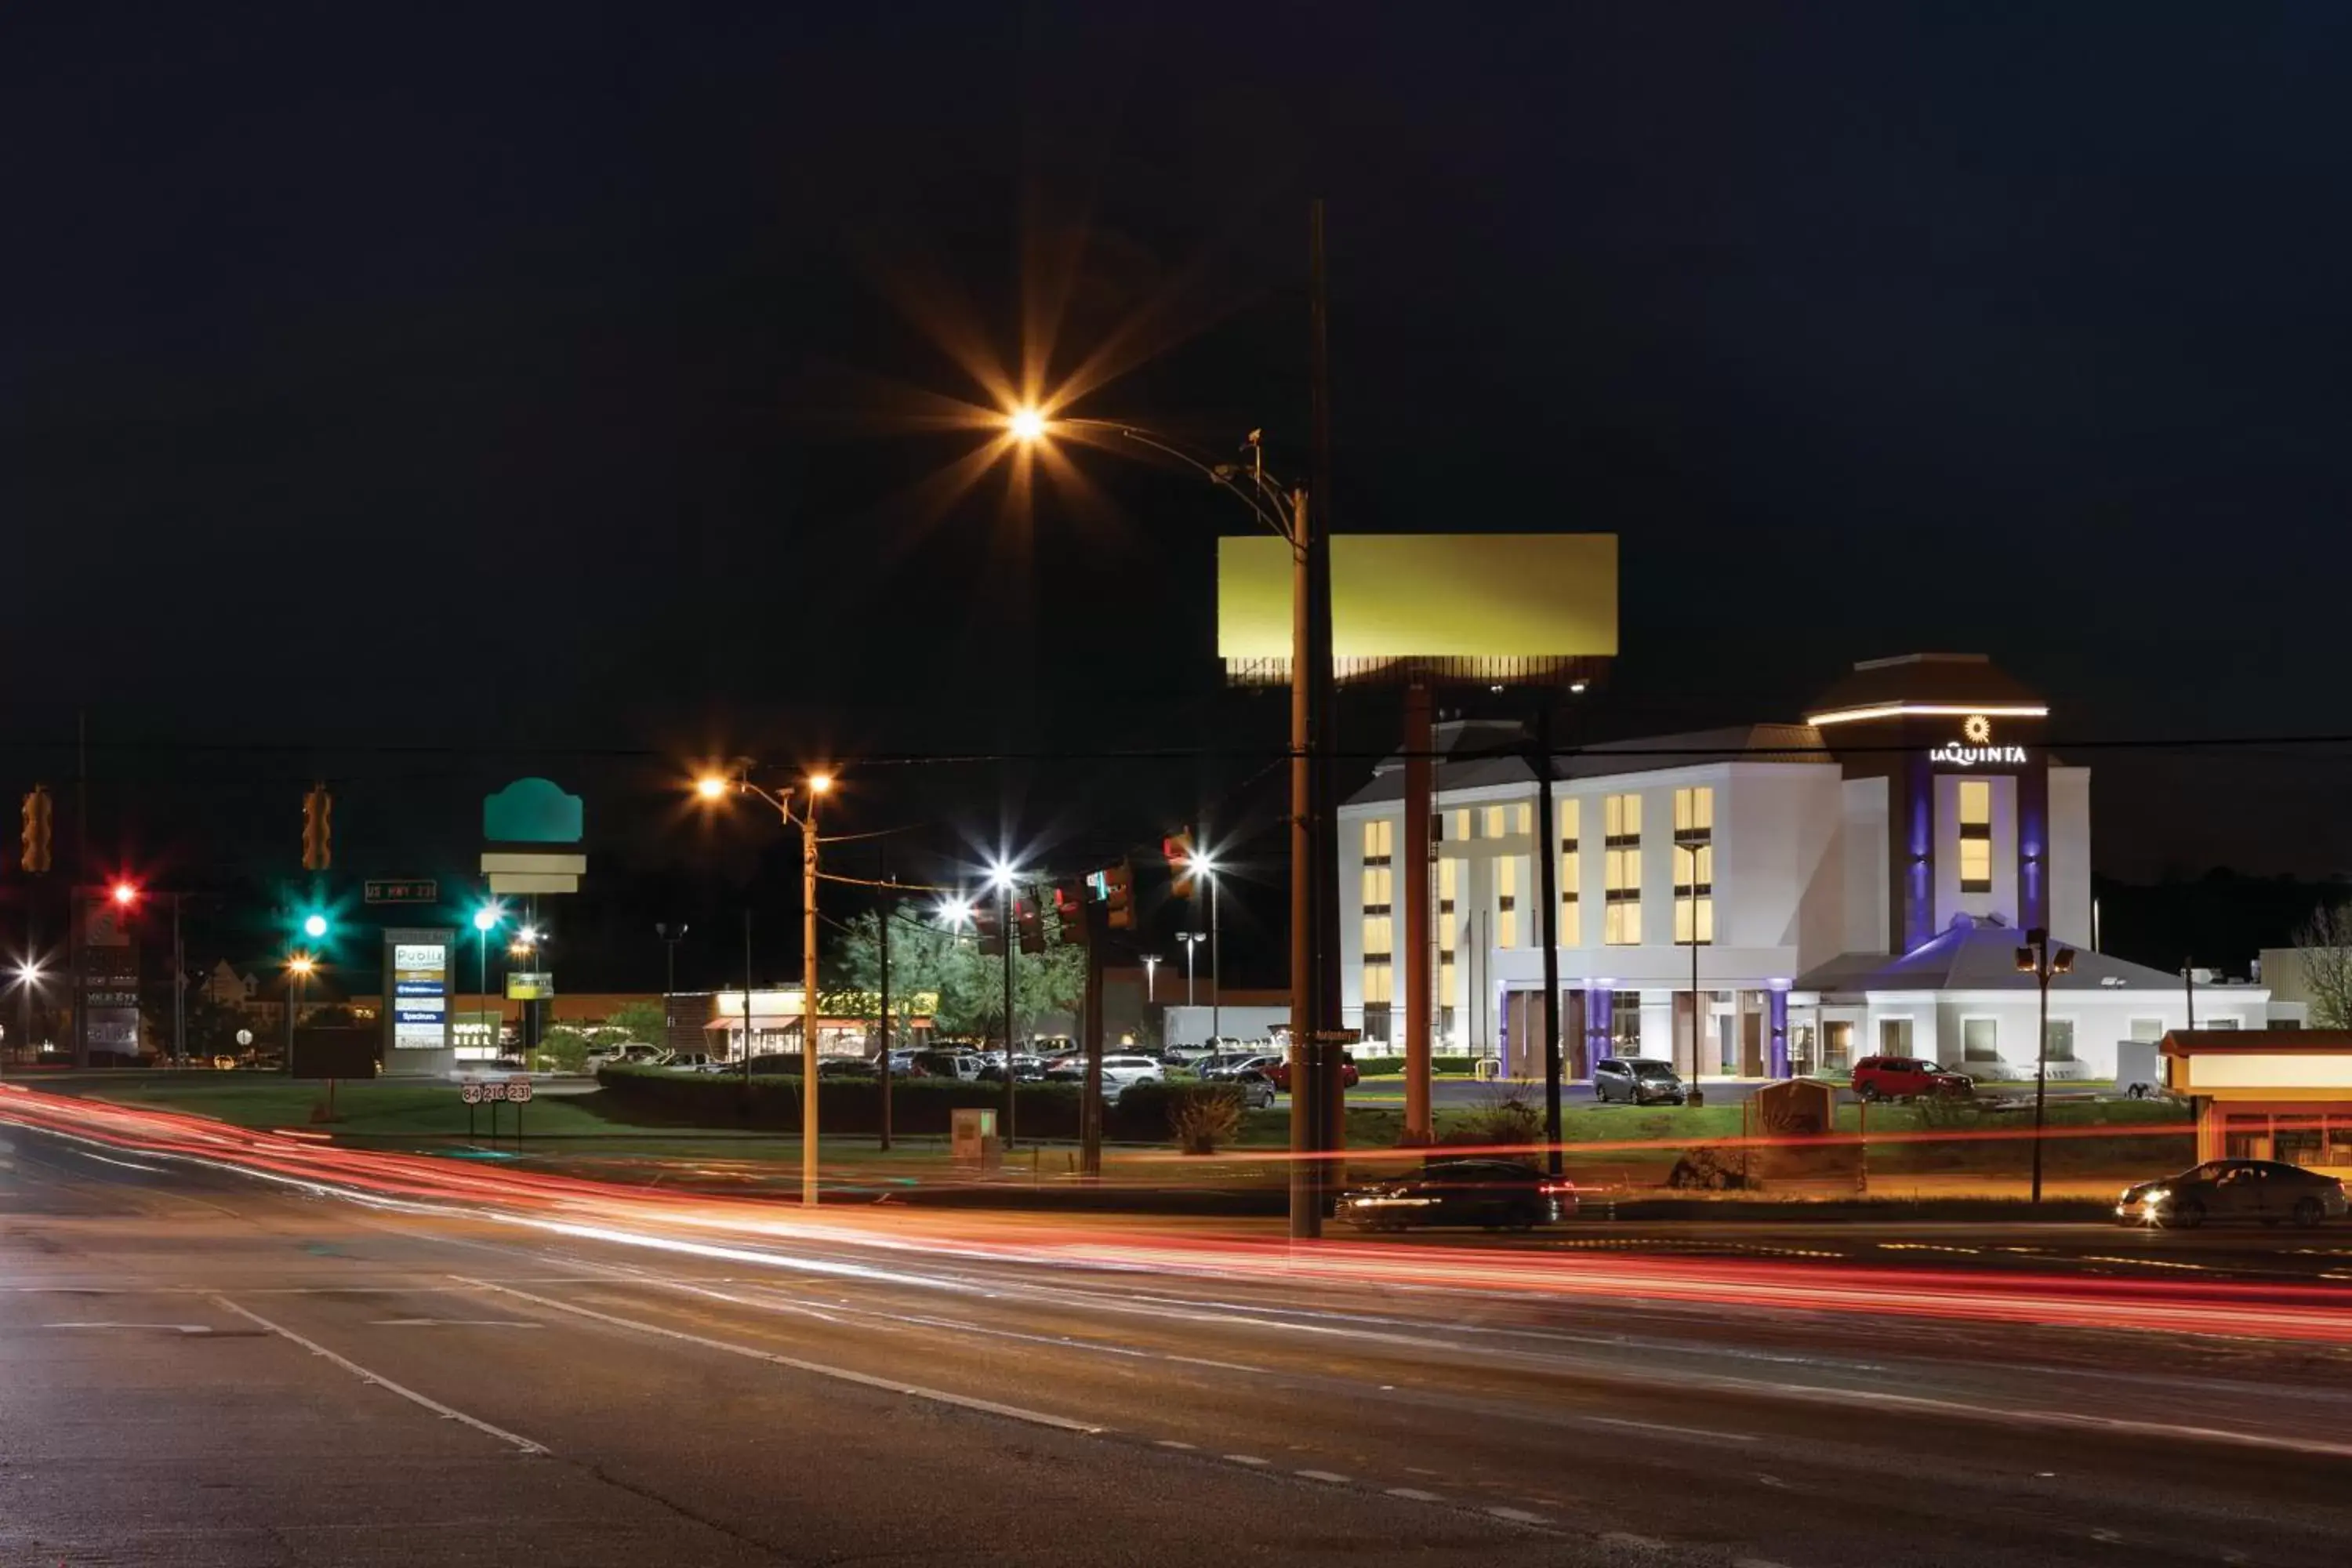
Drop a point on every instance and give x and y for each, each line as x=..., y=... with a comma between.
x=1441, y=598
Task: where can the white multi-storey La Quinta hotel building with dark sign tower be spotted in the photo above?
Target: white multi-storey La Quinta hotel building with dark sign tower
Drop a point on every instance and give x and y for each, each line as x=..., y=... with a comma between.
x=1850, y=885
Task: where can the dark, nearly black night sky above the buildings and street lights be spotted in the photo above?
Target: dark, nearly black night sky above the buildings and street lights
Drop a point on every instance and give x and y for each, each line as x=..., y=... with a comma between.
x=533, y=384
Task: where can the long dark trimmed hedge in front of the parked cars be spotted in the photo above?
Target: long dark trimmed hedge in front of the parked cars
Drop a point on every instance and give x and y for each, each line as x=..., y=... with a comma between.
x=918, y=1106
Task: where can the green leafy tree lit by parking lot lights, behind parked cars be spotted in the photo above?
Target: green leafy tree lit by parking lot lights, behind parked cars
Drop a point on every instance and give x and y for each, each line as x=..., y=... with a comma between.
x=928, y=958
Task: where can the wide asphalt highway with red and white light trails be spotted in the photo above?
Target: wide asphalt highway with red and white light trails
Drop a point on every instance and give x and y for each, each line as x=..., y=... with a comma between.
x=243, y=1348
